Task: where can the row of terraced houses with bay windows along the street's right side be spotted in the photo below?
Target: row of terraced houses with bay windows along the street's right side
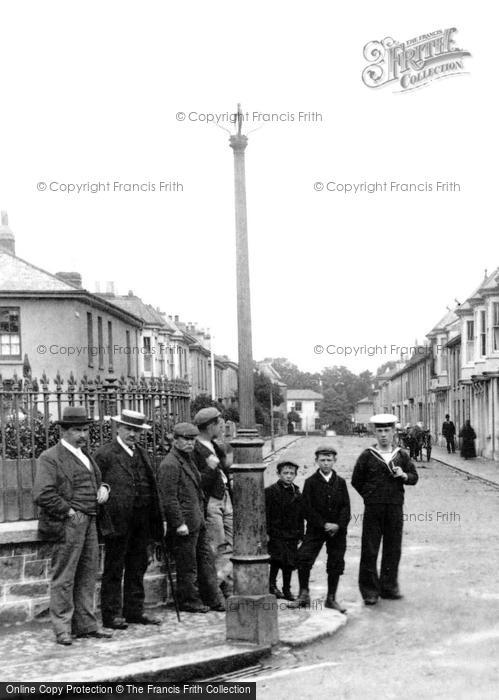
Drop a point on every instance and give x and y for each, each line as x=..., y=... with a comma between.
x=457, y=372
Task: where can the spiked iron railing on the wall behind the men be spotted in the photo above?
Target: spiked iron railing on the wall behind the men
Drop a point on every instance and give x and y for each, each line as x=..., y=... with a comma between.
x=29, y=409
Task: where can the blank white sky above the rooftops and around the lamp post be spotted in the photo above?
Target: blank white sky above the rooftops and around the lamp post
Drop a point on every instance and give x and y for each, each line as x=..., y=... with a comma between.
x=90, y=93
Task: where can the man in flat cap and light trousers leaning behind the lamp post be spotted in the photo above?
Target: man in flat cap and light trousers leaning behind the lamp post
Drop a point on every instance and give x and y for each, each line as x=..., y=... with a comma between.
x=211, y=462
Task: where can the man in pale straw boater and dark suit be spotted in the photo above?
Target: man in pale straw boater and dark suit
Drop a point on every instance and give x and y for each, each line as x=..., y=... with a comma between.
x=135, y=515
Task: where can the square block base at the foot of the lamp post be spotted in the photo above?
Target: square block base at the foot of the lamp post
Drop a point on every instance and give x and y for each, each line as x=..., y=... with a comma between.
x=252, y=618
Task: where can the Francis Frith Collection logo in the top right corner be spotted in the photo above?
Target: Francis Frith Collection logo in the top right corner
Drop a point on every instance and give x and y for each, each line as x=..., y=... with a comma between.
x=414, y=63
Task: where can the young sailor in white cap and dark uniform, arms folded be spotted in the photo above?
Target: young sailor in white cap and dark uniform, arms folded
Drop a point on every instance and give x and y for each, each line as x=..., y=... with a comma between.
x=379, y=476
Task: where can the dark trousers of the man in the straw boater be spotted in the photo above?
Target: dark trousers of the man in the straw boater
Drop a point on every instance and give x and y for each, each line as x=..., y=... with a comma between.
x=126, y=553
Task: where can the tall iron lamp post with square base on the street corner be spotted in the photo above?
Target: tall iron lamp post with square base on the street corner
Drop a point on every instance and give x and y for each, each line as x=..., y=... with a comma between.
x=252, y=610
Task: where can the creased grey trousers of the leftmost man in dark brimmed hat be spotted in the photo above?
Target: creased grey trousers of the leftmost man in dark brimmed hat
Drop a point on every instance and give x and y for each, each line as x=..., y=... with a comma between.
x=74, y=567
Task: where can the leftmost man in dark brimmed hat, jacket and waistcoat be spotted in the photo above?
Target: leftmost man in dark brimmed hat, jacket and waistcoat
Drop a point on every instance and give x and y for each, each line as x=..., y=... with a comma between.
x=68, y=489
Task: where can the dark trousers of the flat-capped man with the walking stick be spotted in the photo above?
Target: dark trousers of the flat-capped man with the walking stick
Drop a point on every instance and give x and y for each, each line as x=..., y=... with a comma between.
x=196, y=573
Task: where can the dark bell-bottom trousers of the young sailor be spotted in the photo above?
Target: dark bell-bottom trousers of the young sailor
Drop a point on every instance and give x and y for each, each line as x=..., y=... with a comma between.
x=380, y=521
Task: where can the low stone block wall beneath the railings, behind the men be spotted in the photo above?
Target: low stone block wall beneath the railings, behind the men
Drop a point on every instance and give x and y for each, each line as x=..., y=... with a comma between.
x=25, y=575
